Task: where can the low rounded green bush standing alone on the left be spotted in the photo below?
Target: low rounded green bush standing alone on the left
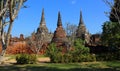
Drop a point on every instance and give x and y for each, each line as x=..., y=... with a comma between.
x=26, y=59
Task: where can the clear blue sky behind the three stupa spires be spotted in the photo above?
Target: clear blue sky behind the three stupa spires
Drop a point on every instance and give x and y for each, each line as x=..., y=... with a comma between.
x=29, y=18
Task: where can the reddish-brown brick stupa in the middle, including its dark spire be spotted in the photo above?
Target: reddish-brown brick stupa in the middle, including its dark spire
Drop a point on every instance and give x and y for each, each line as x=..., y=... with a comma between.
x=59, y=35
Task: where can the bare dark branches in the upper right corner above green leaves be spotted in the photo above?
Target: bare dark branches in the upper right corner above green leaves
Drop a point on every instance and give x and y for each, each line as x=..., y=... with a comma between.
x=114, y=5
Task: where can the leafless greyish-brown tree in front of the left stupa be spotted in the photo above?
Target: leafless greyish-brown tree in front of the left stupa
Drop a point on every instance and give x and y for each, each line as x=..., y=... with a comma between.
x=36, y=42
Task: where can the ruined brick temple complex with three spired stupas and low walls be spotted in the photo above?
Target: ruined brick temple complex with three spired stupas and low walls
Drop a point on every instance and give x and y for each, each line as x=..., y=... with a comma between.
x=19, y=44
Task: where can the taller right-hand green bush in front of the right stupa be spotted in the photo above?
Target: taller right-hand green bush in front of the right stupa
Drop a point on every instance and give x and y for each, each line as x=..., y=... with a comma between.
x=82, y=52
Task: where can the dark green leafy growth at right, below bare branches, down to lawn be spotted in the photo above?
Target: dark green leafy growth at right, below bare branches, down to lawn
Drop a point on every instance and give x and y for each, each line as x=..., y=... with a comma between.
x=111, y=39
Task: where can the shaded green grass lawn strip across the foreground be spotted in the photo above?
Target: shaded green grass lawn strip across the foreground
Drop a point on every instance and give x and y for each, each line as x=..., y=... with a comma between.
x=84, y=66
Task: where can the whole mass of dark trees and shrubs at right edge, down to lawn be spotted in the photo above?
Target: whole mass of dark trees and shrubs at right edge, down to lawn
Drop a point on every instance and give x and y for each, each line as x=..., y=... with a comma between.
x=111, y=33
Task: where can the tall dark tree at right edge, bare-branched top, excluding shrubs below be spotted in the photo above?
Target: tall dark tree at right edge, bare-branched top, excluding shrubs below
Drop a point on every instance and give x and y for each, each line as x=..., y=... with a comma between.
x=111, y=33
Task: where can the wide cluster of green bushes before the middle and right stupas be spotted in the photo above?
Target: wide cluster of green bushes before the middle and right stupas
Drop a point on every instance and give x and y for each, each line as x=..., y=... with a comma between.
x=78, y=53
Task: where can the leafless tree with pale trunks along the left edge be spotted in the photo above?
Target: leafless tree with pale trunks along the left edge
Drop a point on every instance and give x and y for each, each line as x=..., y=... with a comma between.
x=8, y=12
